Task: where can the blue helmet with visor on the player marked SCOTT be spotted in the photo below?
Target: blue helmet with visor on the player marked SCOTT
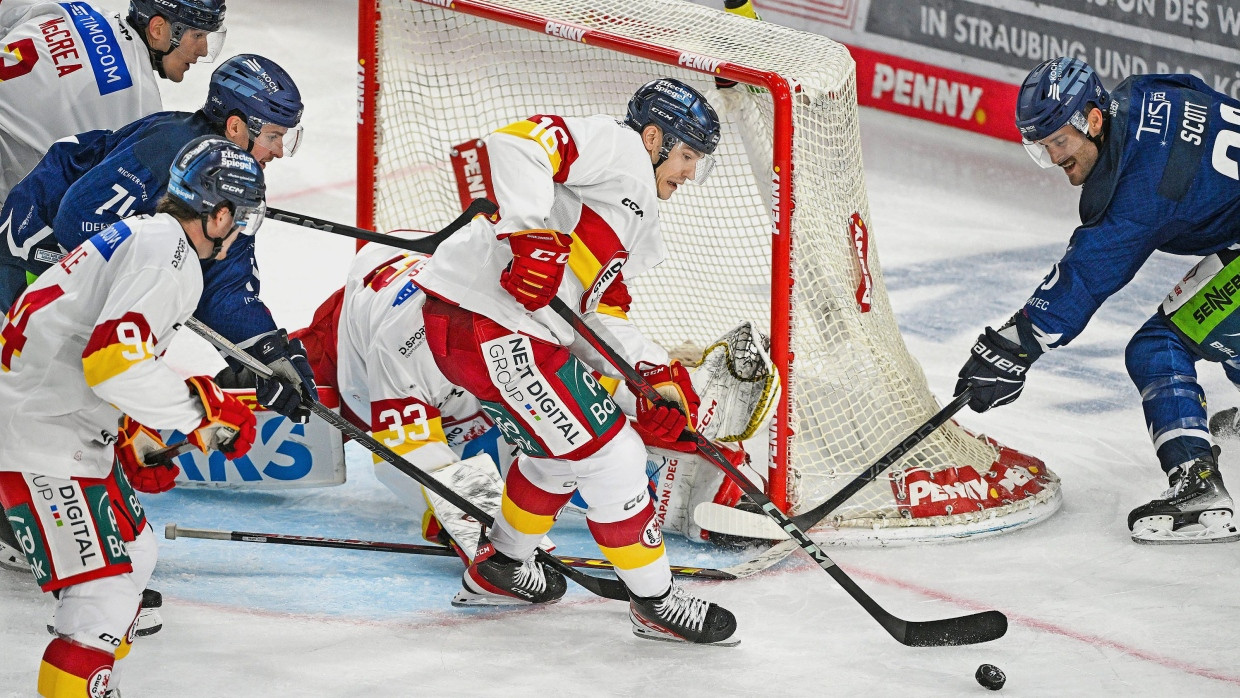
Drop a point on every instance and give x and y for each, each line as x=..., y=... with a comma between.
x=1058, y=92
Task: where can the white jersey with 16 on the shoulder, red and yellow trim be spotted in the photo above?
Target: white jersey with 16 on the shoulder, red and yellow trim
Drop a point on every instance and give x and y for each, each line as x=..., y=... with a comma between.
x=587, y=177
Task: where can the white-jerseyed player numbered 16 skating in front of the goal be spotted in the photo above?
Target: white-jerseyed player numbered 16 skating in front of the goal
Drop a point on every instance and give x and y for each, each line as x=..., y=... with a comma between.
x=578, y=215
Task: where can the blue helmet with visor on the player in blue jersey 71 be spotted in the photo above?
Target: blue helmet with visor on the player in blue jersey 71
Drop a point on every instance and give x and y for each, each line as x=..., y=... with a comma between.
x=261, y=92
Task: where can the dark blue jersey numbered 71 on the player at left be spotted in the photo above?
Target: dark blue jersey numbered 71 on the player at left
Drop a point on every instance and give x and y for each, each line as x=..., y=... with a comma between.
x=89, y=183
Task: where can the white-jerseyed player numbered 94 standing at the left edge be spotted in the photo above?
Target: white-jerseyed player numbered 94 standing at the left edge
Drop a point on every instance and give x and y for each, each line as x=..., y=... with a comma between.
x=84, y=390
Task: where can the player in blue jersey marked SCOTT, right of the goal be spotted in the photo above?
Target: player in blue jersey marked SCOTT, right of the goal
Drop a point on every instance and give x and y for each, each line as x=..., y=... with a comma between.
x=1159, y=161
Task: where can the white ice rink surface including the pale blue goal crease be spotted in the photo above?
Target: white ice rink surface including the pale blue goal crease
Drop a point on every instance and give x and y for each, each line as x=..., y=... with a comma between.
x=967, y=228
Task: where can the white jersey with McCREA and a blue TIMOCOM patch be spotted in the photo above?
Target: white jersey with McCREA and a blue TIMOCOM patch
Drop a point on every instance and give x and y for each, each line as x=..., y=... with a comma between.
x=66, y=69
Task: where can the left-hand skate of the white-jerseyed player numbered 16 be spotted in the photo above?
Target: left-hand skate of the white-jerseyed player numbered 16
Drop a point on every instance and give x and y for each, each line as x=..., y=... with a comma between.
x=495, y=580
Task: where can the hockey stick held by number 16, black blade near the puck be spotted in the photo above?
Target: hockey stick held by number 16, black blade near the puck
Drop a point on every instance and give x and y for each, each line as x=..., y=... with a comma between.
x=964, y=630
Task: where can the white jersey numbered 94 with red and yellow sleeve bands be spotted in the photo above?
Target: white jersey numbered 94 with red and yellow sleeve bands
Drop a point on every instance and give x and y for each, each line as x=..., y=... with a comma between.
x=80, y=348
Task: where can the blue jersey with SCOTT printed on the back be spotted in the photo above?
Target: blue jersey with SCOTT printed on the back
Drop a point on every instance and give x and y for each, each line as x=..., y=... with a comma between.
x=1167, y=179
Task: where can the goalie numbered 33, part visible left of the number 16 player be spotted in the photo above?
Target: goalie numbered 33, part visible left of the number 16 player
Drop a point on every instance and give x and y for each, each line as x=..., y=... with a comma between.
x=369, y=340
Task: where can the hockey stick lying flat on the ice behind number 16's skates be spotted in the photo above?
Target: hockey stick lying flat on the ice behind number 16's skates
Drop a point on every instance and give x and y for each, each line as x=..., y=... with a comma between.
x=173, y=531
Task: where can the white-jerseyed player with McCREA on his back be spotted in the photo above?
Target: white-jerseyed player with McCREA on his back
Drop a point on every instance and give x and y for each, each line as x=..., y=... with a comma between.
x=71, y=68
